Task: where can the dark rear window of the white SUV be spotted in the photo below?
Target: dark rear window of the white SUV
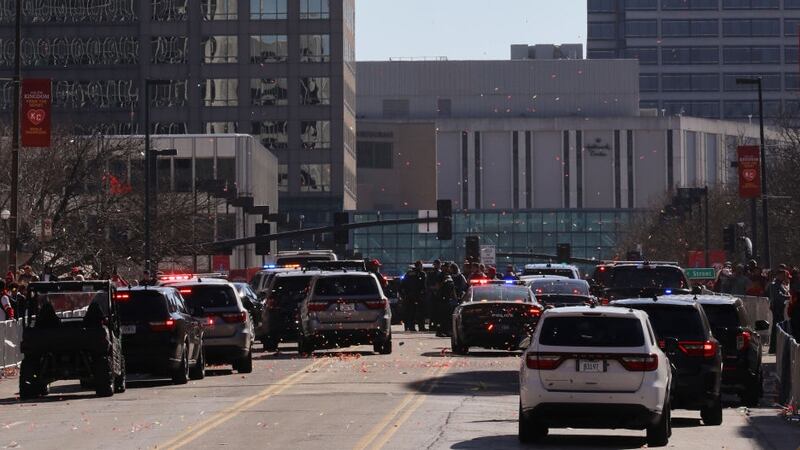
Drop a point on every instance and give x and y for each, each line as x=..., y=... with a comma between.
x=588, y=331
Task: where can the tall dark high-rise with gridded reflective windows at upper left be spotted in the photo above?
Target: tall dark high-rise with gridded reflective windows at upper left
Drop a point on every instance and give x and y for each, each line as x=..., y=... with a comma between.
x=282, y=70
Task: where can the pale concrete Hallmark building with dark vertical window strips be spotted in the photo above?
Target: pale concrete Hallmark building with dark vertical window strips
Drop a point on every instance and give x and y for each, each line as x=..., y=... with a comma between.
x=539, y=134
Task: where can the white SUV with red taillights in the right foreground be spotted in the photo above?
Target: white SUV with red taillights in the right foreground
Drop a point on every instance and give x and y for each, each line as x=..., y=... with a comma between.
x=595, y=367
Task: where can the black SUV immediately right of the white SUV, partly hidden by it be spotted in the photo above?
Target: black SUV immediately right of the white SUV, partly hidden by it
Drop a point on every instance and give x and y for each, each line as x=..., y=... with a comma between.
x=683, y=331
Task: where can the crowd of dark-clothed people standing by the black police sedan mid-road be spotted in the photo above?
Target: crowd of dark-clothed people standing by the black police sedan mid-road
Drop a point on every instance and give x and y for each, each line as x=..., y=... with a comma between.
x=430, y=296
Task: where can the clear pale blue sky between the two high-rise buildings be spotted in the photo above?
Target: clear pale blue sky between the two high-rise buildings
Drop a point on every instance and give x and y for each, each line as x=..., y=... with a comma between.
x=463, y=29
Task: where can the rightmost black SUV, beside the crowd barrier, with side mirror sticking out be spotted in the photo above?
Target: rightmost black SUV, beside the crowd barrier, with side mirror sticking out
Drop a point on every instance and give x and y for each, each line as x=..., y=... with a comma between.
x=741, y=346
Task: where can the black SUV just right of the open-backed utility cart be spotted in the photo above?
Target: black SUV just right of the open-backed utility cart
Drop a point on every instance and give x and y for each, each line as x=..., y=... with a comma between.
x=159, y=336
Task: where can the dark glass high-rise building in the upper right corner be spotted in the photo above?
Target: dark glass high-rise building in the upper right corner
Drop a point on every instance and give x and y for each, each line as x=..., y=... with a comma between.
x=692, y=51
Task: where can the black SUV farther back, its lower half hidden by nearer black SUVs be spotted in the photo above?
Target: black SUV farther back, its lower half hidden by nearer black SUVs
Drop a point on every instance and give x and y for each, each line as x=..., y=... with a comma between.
x=639, y=279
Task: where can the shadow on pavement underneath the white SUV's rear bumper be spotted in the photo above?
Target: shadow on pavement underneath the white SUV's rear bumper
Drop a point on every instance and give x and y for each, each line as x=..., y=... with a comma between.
x=553, y=441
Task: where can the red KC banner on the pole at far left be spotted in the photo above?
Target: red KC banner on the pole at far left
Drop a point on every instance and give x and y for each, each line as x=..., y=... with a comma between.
x=35, y=112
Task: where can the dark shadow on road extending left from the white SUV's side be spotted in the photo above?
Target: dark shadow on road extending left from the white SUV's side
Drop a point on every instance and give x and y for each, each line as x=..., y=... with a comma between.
x=477, y=383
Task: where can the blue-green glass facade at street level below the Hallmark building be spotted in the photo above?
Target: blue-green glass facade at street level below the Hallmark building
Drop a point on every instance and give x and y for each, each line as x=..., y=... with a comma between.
x=592, y=234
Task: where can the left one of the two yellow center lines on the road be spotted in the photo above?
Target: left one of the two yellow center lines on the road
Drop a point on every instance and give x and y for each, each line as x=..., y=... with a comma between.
x=196, y=431
